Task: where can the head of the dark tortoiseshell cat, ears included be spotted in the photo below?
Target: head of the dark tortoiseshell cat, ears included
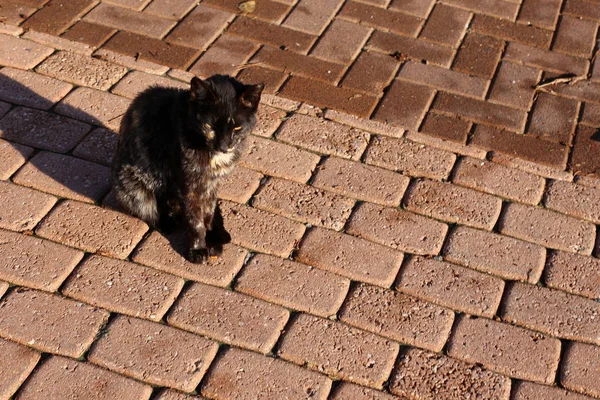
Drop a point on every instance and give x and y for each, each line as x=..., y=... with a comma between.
x=224, y=111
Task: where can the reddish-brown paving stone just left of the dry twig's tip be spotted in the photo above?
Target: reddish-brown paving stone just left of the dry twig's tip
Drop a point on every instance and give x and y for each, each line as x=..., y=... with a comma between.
x=514, y=85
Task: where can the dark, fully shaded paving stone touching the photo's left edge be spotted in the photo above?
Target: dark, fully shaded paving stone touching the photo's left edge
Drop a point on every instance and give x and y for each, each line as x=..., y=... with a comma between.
x=42, y=129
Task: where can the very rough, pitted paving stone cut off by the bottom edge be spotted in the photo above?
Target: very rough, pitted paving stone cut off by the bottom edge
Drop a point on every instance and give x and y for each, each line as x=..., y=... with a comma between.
x=424, y=375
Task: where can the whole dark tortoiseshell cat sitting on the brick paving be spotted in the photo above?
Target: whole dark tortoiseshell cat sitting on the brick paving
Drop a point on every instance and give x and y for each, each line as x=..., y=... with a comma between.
x=174, y=148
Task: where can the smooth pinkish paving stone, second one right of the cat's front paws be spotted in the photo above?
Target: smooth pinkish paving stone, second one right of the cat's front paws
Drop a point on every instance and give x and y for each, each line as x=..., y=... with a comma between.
x=351, y=257
